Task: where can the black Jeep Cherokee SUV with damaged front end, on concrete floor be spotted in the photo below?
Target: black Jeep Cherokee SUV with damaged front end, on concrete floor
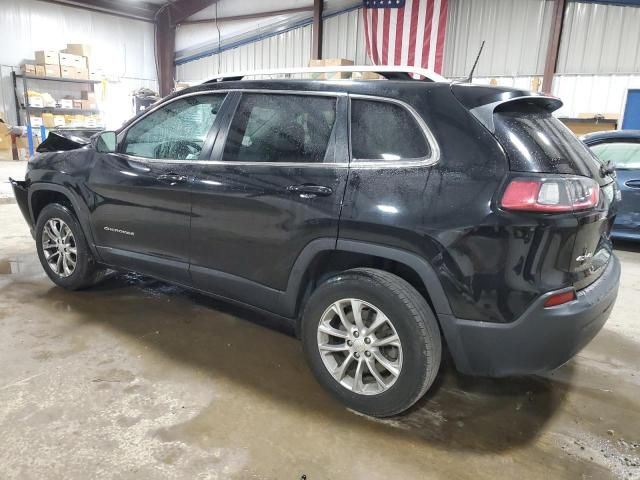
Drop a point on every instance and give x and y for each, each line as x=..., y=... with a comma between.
x=384, y=219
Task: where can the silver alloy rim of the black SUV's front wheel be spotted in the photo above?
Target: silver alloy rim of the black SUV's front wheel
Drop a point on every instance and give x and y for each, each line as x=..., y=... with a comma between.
x=59, y=247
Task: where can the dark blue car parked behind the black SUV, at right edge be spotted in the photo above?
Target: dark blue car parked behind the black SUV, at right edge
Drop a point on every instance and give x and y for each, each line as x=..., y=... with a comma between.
x=620, y=149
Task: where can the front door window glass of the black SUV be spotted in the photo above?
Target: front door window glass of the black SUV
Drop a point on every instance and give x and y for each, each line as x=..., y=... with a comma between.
x=176, y=131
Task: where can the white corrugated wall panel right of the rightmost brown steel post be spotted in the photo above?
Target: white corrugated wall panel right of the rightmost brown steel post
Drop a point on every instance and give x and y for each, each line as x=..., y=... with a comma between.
x=600, y=38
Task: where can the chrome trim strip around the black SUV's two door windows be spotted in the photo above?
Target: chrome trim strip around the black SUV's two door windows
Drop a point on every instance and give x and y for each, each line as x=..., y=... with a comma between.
x=221, y=162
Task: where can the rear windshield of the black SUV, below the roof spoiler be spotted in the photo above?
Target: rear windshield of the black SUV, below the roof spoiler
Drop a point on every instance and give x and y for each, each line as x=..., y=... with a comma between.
x=536, y=141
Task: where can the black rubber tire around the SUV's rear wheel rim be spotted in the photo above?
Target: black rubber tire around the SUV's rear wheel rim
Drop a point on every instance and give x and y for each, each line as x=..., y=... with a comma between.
x=414, y=322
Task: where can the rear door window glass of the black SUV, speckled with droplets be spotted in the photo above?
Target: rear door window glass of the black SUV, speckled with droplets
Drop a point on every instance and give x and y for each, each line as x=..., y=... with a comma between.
x=281, y=128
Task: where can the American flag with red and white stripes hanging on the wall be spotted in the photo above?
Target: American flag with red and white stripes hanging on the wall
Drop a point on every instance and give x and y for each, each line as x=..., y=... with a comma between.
x=405, y=32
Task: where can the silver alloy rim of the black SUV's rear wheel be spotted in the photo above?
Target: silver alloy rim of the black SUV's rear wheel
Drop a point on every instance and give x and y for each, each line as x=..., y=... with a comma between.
x=359, y=346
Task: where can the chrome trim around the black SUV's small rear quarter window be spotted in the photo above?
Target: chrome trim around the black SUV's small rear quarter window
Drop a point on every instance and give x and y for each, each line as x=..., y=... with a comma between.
x=408, y=162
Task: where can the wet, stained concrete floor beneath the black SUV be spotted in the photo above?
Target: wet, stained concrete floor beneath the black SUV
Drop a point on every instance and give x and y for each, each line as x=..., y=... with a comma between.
x=138, y=379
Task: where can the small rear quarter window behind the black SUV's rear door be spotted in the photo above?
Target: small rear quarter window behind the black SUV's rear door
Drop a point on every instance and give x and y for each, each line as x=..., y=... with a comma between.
x=385, y=131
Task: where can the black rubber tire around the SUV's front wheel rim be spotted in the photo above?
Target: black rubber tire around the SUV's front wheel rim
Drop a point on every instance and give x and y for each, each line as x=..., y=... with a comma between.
x=86, y=272
